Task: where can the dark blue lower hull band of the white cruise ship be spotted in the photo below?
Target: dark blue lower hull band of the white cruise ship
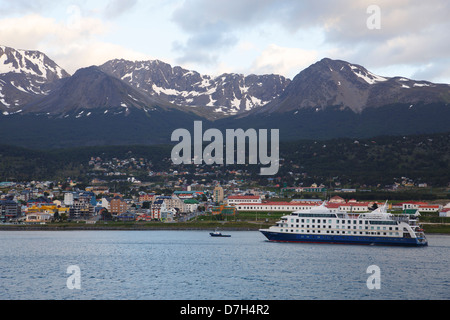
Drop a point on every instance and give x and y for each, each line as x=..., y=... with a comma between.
x=338, y=239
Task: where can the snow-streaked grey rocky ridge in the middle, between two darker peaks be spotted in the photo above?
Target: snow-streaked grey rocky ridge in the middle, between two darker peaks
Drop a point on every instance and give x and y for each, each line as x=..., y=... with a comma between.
x=226, y=94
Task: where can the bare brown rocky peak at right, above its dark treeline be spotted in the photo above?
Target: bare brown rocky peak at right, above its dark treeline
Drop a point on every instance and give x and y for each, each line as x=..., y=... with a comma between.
x=339, y=83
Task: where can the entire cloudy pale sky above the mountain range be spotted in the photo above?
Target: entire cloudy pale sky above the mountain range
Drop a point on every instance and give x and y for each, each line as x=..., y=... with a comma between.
x=406, y=38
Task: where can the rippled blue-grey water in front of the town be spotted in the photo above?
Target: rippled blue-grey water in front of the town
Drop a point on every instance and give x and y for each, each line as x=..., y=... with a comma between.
x=190, y=265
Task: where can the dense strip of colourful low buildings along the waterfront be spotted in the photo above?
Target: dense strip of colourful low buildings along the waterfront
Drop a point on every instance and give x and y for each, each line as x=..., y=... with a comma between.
x=46, y=202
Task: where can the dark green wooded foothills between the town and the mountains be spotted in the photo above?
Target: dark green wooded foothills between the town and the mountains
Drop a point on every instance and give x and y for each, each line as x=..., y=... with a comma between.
x=338, y=162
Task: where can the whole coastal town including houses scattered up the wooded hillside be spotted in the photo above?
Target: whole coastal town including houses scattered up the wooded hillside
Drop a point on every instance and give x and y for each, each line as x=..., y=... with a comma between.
x=139, y=186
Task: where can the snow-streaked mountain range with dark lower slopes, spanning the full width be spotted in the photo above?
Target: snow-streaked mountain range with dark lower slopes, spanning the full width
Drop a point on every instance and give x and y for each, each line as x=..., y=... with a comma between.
x=142, y=102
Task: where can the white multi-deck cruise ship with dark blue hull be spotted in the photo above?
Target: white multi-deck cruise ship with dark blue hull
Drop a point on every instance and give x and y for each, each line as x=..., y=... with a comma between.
x=321, y=225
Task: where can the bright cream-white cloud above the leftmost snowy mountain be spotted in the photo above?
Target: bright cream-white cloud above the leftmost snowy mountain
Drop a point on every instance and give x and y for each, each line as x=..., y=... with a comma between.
x=72, y=43
